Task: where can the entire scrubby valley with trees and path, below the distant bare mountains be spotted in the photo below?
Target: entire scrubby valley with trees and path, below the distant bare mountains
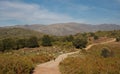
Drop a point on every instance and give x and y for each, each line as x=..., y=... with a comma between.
x=25, y=51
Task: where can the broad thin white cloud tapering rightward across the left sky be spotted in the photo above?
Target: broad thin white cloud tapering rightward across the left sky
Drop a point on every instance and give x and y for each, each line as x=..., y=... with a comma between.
x=29, y=13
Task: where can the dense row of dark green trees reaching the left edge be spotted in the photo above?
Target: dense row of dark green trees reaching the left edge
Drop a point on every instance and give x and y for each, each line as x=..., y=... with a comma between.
x=13, y=44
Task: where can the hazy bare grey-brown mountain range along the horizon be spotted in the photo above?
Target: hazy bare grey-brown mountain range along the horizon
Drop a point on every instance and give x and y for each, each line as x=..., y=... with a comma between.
x=62, y=29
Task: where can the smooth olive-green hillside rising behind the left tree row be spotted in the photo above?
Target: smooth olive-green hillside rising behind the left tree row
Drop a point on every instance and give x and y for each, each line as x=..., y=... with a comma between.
x=18, y=33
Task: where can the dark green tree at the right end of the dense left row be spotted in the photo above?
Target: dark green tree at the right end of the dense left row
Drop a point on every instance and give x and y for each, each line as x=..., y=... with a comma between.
x=32, y=42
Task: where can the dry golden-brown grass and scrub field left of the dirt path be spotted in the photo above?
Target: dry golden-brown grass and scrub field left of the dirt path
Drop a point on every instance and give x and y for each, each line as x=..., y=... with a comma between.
x=24, y=60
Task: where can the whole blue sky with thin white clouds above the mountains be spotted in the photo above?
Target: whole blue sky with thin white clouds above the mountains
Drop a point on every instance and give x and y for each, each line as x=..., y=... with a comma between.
x=21, y=12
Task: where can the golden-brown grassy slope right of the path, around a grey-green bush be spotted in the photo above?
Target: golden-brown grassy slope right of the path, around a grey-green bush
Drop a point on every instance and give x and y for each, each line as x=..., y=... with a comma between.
x=92, y=62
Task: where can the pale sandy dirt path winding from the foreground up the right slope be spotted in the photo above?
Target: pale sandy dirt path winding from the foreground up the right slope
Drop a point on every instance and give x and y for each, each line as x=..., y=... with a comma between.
x=51, y=67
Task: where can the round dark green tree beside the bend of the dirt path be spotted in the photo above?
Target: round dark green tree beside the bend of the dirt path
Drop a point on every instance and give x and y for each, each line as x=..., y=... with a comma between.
x=80, y=43
